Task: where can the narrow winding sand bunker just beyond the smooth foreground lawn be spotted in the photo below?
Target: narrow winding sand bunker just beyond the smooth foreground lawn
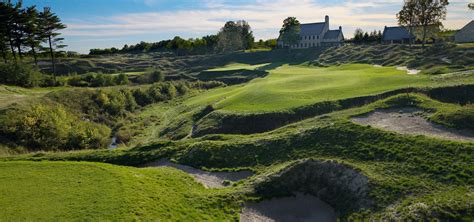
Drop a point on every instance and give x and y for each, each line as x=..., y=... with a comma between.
x=208, y=179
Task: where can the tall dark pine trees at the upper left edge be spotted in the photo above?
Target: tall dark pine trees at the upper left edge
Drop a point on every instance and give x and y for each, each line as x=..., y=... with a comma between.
x=24, y=30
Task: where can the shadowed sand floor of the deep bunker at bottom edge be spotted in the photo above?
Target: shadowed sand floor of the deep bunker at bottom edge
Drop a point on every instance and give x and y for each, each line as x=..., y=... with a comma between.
x=299, y=208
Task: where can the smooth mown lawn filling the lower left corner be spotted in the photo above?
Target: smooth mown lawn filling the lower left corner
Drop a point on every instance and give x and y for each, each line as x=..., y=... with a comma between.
x=93, y=191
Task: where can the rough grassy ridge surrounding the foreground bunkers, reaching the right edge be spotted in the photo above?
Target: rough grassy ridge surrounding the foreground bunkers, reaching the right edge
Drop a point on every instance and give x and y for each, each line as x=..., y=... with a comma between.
x=411, y=177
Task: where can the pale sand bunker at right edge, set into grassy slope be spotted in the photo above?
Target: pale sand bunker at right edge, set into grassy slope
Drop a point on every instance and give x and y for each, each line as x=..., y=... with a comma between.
x=408, y=121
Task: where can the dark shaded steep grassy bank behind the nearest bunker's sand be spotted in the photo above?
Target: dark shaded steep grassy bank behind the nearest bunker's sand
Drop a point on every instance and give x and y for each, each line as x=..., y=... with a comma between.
x=343, y=188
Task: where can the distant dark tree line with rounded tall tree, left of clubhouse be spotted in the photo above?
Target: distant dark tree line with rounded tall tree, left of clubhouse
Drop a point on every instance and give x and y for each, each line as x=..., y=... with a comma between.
x=234, y=35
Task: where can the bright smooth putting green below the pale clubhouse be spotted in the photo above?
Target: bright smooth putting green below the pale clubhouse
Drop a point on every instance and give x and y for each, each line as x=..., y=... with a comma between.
x=291, y=86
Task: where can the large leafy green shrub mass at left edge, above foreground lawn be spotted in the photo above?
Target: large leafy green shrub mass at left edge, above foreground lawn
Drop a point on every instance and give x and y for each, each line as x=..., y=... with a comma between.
x=51, y=127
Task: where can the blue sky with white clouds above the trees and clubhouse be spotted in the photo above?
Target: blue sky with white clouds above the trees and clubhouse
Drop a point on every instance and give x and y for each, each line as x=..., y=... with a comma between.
x=113, y=23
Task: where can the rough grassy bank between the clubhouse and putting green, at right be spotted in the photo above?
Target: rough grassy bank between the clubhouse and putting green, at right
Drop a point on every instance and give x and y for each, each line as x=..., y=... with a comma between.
x=432, y=60
